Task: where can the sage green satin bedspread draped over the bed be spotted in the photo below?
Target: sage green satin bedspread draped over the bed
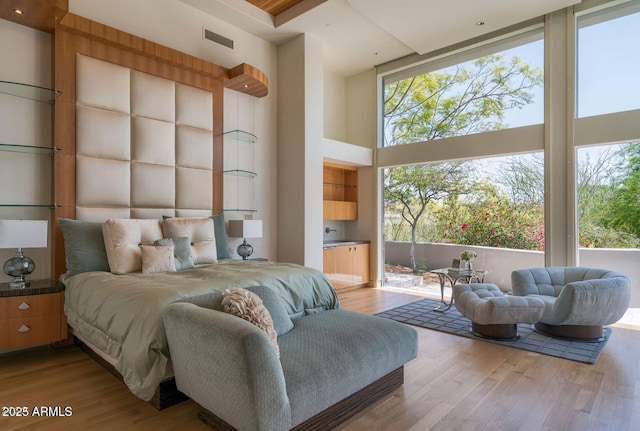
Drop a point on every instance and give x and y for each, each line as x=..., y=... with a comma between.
x=122, y=314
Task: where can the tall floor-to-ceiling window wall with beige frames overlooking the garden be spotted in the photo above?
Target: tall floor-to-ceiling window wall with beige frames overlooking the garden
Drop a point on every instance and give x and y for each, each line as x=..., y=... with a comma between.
x=436, y=114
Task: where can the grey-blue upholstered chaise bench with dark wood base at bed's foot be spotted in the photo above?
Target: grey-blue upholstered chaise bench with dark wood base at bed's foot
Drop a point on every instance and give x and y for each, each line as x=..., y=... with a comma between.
x=229, y=367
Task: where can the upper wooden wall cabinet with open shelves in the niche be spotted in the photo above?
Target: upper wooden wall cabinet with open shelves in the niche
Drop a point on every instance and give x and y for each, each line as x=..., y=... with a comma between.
x=340, y=192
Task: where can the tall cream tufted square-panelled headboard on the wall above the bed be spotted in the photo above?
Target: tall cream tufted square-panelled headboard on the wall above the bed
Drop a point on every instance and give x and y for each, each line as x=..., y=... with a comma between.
x=144, y=144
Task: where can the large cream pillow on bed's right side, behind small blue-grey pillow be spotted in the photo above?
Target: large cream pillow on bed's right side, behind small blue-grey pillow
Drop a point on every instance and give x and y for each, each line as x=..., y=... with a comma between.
x=200, y=232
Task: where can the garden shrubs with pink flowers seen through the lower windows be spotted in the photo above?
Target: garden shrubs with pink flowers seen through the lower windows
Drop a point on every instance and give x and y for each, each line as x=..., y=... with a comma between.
x=501, y=212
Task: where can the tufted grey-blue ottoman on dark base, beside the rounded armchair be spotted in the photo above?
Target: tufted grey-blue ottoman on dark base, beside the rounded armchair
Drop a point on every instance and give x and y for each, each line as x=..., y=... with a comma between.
x=492, y=314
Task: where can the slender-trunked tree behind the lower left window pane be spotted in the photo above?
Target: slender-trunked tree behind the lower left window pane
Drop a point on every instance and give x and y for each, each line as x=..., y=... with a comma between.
x=412, y=188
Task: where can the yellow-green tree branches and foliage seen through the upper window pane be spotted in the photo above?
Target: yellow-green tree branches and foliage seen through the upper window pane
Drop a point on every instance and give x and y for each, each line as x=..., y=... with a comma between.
x=466, y=99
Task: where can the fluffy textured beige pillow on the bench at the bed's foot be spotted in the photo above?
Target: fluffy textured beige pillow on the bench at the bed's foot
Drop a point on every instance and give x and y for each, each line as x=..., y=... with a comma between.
x=248, y=306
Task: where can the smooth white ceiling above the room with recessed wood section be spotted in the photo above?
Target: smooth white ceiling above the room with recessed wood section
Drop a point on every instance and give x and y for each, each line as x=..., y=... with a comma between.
x=360, y=34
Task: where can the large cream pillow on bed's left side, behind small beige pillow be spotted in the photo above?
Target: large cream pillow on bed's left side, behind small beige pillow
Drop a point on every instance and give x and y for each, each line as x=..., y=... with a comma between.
x=122, y=239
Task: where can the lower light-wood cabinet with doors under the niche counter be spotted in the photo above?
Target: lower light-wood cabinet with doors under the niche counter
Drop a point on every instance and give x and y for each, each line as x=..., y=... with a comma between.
x=346, y=264
